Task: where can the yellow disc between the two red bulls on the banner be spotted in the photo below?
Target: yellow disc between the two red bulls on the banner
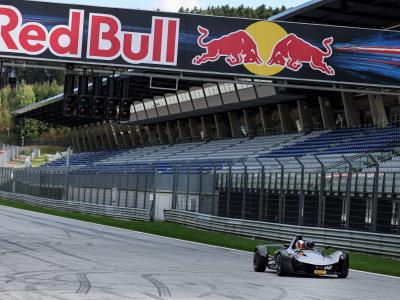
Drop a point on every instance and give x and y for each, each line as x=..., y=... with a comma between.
x=266, y=35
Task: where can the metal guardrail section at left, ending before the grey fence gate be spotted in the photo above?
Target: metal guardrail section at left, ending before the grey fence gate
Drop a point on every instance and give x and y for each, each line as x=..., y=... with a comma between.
x=87, y=208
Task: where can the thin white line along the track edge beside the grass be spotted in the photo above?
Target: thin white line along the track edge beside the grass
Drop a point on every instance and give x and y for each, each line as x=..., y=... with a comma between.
x=175, y=239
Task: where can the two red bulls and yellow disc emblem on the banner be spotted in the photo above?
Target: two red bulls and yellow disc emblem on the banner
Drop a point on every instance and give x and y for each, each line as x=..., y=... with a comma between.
x=264, y=48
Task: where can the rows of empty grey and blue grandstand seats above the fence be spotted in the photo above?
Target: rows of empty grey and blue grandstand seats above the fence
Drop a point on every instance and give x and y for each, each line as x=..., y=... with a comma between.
x=294, y=151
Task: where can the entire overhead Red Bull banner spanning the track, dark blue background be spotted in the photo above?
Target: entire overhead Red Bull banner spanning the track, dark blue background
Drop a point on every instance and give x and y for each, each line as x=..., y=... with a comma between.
x=195, y=44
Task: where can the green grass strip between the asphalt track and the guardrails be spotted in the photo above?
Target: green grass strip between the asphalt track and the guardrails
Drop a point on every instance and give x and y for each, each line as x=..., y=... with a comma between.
x=358, y=261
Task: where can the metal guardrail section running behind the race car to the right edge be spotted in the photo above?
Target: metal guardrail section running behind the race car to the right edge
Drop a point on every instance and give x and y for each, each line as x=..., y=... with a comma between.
x=374, y=243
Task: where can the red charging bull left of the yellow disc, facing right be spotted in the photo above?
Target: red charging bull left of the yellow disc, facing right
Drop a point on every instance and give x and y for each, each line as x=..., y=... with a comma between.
x=237, y=47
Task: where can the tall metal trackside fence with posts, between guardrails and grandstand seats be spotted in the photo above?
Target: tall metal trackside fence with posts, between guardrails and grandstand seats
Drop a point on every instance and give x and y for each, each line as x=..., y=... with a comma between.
x=367, y=201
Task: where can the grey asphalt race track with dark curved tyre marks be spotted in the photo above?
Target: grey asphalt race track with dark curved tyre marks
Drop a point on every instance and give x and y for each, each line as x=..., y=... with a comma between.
x=47, y=257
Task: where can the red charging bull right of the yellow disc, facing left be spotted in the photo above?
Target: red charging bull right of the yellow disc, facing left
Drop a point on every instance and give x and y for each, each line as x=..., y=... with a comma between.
x=293, y=51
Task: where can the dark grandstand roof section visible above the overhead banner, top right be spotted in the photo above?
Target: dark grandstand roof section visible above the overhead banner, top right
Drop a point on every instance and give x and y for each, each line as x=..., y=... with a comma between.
x=382, y=14
